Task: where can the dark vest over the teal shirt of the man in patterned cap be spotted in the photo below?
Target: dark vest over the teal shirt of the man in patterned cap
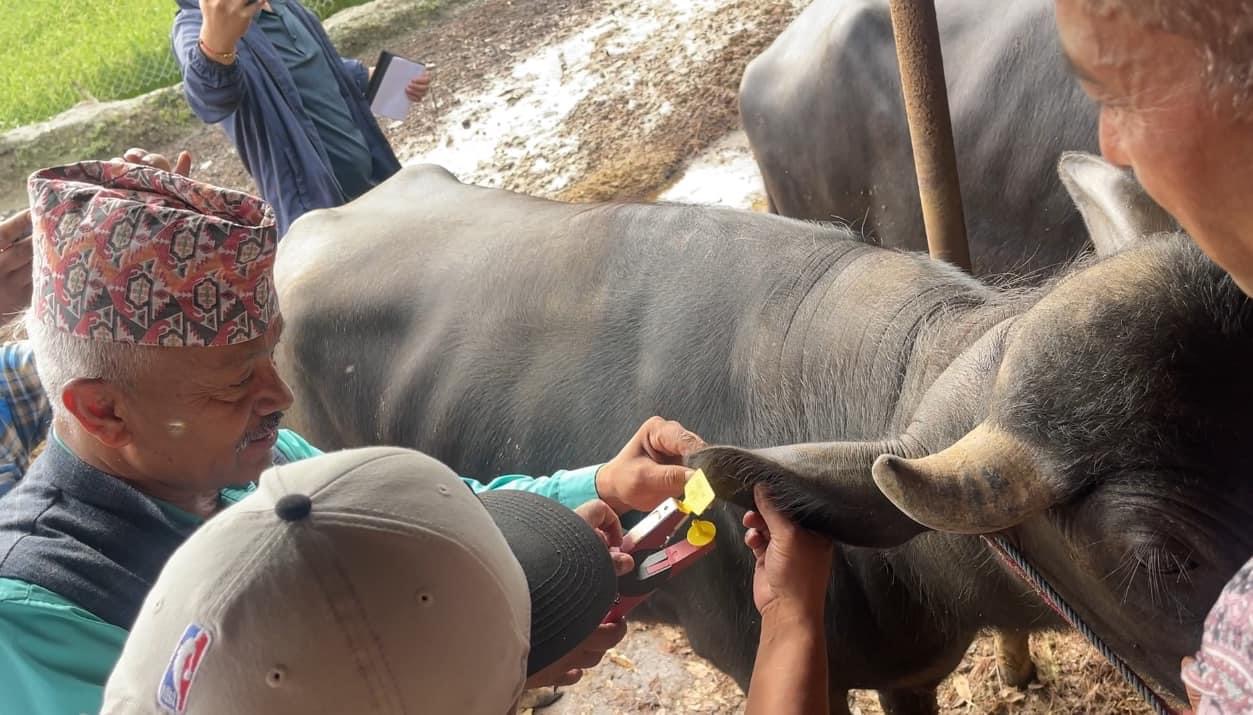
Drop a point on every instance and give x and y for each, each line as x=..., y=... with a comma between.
x=86, y=537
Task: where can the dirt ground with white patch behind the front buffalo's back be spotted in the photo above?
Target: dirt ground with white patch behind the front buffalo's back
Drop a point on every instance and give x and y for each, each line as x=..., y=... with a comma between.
x=581, y=101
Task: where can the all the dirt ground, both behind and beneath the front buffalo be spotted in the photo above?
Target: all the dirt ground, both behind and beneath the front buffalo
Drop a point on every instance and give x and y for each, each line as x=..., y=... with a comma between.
x=626, y=100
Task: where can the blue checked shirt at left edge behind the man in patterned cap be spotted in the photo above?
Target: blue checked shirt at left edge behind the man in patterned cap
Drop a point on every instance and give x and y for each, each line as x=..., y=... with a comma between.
x=26, y=413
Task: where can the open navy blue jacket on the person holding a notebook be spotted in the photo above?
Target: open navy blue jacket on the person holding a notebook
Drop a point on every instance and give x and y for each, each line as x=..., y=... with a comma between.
x=260, y=107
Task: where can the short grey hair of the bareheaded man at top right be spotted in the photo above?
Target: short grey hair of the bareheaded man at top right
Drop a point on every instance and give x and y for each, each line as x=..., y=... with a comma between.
x=1221, y=29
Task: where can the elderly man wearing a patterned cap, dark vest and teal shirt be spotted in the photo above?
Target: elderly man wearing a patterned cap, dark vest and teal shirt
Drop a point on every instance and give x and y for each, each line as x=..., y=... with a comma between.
x=153, y=326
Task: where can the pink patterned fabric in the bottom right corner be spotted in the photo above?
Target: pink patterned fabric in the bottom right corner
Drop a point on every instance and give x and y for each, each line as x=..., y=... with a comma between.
x=1224, y=671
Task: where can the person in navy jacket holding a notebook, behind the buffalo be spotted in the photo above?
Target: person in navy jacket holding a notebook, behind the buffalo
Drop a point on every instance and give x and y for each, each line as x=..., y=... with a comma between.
x=296, y=111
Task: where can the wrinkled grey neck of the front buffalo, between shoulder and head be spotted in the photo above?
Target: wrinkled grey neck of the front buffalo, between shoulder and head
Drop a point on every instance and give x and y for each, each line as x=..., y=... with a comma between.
x=875, y=332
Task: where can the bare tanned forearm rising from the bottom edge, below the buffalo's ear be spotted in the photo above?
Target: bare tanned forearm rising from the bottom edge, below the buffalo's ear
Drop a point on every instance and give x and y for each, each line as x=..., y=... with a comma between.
x=790, y=677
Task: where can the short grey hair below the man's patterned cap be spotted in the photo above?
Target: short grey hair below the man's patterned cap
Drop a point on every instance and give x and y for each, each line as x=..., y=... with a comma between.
x=62, y=357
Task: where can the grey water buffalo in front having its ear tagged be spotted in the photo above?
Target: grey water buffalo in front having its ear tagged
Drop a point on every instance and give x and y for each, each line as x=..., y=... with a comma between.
x=1097, y=421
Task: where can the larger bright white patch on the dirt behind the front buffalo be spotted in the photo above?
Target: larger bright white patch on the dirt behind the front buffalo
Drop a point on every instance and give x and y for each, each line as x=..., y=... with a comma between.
x=523, y=113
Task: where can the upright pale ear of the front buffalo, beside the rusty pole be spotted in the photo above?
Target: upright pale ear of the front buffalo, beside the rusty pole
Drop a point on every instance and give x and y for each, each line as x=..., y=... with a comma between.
x=1116, y=207
